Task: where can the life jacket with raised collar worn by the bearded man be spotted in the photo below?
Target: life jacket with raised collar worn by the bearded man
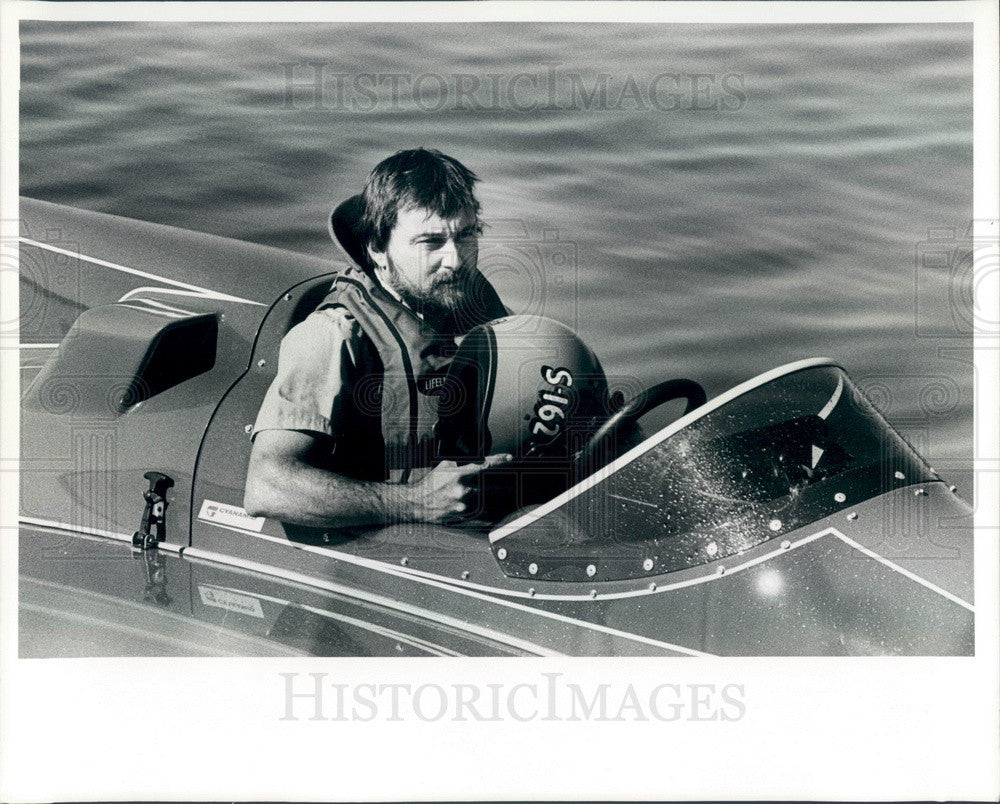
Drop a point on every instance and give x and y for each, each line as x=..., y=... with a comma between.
x=402, y=365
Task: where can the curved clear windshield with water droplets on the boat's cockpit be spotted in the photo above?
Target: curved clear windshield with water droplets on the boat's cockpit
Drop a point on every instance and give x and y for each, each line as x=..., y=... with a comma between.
x=772, y=460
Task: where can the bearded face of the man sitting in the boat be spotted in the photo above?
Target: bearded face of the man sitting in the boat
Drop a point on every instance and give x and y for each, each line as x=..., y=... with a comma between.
x=430, y=261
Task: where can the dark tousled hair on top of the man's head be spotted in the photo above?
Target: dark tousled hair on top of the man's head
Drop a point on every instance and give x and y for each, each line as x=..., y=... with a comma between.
x=421, y=177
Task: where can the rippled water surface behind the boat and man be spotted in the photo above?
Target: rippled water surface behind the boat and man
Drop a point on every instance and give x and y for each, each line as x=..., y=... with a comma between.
x=784, y=218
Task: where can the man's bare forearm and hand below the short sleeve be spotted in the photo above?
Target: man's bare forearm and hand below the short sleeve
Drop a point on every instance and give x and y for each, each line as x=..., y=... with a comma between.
x=284, y=483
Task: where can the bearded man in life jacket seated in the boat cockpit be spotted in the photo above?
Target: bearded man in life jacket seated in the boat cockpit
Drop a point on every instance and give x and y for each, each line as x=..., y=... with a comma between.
x=345, y=436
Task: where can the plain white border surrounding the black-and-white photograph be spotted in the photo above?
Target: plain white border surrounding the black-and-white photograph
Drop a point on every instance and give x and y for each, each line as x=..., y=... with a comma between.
x=211, y=729
